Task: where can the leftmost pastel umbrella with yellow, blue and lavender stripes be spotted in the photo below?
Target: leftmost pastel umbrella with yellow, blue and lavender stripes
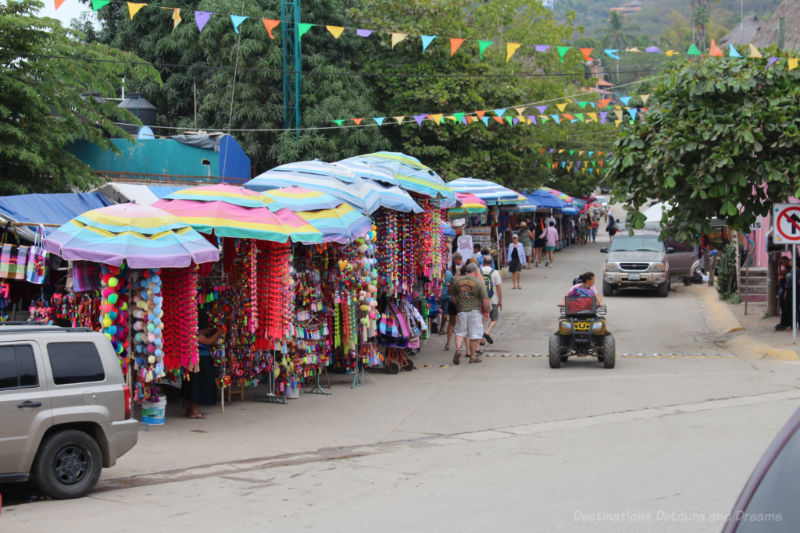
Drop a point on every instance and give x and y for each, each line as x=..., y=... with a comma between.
x=143, y=236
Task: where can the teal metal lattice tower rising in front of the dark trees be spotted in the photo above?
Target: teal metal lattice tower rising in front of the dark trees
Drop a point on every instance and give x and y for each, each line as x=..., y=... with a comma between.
x=292, y=64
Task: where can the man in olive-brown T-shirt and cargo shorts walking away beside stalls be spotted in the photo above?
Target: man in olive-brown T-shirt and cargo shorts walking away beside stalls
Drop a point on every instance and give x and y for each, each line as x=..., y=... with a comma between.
x=469, y=292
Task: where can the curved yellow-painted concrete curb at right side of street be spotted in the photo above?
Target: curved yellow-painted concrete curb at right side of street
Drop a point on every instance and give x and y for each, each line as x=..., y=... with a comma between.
x=725, y=323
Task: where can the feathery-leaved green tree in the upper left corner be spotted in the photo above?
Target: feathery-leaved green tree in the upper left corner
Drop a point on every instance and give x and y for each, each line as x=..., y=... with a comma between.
x=46, y=75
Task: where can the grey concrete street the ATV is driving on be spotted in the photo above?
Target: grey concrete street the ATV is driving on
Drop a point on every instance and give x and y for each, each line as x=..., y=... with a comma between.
x=663, y=442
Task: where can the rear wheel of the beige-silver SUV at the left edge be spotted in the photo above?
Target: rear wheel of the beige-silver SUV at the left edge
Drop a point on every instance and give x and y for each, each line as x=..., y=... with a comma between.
x=68, y=464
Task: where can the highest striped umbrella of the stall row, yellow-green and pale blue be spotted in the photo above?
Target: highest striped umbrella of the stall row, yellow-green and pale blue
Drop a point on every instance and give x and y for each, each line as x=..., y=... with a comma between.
x=409, y=172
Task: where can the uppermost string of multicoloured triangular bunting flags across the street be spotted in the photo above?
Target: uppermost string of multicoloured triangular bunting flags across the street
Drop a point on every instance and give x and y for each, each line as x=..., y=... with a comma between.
x=201, y=18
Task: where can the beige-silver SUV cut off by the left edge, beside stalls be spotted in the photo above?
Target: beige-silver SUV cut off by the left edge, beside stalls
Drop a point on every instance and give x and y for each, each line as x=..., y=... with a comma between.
x=64, y=406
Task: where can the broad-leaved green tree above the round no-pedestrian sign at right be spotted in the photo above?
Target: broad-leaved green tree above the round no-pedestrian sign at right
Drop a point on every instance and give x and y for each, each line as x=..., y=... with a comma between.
x=721, y=138
